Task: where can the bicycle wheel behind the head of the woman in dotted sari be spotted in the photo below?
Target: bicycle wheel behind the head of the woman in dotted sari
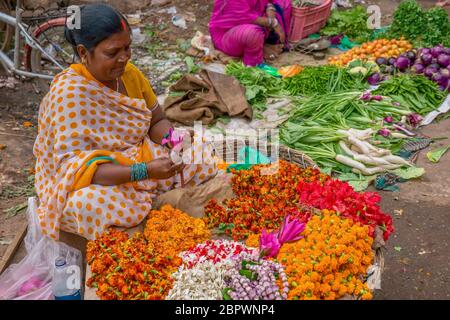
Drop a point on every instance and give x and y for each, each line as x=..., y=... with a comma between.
x=51, y=38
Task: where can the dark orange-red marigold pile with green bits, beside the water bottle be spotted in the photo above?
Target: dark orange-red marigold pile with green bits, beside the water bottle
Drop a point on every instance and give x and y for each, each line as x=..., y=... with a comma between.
x=126, y=268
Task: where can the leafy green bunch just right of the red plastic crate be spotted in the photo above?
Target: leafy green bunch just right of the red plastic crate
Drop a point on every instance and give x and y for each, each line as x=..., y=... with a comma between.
x=352, y=22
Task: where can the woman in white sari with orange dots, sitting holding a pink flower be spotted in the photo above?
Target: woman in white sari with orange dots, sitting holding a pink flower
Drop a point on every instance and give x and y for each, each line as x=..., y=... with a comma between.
x=100, y=161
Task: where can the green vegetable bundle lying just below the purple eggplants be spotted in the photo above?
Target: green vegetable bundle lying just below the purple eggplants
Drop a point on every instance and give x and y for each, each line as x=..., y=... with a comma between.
x=416, y=92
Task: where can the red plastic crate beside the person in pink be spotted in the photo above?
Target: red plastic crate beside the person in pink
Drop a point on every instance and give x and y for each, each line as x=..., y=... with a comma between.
x=309, y=20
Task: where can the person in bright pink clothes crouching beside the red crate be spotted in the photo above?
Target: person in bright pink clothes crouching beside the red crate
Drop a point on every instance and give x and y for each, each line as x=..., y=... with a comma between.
x=240, y=28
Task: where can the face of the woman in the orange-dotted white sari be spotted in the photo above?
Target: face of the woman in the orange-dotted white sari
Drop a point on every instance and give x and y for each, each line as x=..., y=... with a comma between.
x=108, y=60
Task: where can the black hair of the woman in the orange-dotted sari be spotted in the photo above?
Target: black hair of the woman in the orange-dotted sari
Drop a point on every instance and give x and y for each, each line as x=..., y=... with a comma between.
x=97, y=23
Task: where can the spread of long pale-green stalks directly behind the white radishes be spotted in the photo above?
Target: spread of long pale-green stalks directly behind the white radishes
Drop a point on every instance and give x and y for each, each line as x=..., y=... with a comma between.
x=314, y=125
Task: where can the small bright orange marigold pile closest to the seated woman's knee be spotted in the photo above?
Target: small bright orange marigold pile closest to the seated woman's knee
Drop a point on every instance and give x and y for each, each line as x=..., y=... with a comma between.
x=171, y=231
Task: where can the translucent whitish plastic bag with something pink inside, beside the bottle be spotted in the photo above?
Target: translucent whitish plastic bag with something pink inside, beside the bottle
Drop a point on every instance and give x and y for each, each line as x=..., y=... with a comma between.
x=31, y=278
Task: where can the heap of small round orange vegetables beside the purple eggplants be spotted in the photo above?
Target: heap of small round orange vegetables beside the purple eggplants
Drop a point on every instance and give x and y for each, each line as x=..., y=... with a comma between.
x=372, y=50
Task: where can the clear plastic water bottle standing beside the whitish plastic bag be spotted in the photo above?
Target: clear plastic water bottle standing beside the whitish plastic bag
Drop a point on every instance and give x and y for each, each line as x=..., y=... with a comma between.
x=61, y=283
